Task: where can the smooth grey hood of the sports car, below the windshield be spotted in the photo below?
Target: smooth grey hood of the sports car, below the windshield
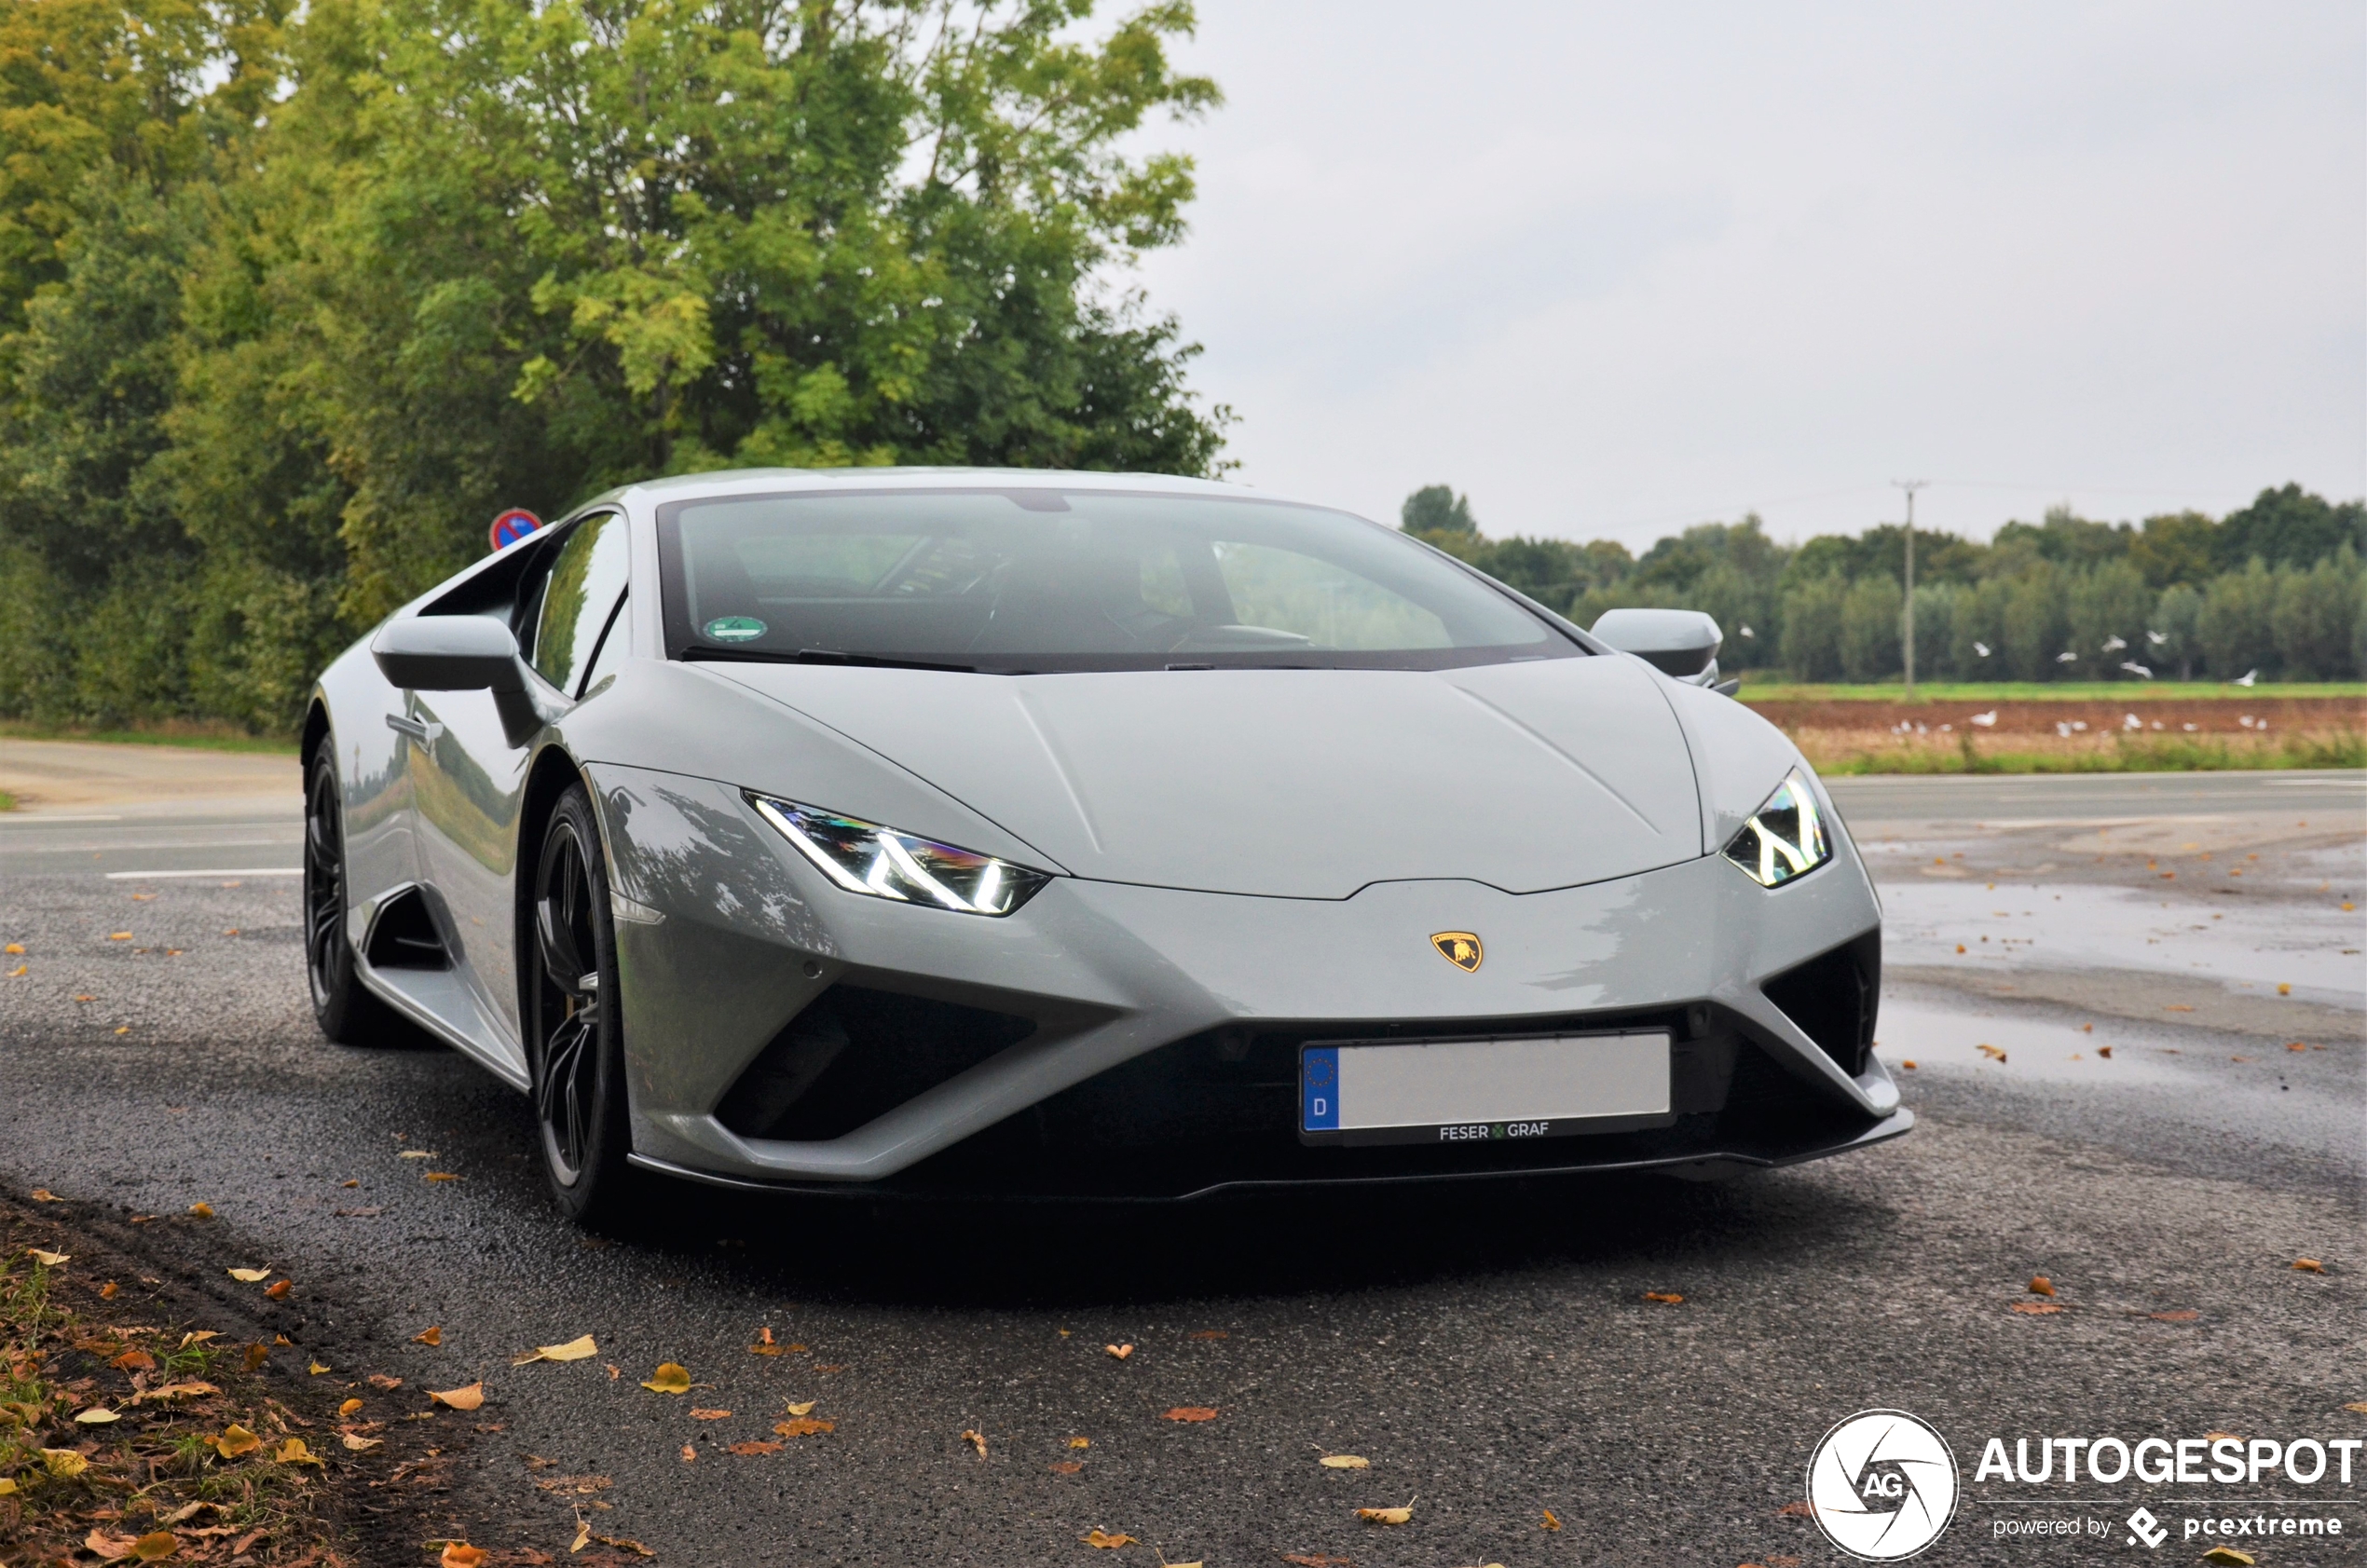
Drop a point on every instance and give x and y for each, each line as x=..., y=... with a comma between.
x=1303, y=784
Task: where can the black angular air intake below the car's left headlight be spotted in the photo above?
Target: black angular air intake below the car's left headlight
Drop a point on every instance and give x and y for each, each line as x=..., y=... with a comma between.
x=856, y=1056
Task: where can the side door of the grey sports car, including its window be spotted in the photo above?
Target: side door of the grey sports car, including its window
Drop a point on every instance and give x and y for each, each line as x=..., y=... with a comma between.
x=470, y=777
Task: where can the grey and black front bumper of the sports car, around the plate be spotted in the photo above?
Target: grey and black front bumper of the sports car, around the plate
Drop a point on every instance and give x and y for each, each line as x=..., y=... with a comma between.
x=1154, y=1032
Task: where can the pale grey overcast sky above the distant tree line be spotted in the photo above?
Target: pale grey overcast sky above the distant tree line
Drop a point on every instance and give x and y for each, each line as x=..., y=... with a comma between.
x=1620, y=268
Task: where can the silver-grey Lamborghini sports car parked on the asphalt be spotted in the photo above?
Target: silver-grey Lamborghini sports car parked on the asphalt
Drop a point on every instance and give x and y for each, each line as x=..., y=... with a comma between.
x=1076, y=834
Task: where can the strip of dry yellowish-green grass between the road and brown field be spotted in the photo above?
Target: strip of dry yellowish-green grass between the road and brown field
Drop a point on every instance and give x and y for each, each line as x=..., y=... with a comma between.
x=1961, y=753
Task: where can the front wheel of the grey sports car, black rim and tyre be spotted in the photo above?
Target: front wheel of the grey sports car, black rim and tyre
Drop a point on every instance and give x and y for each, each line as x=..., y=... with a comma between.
x=576, y=1039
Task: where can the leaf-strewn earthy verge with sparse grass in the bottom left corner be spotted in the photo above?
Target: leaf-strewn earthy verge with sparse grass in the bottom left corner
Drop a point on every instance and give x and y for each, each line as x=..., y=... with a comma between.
x=141, y=1444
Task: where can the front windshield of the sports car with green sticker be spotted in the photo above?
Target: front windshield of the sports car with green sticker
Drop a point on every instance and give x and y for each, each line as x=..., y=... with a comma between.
x=1038, y=581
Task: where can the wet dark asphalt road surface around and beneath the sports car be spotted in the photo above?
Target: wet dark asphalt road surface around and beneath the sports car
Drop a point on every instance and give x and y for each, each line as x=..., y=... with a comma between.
x=1488, y=1349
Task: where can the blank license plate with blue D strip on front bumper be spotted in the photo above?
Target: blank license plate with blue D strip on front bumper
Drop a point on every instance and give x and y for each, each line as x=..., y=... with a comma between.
x=1485, y=1091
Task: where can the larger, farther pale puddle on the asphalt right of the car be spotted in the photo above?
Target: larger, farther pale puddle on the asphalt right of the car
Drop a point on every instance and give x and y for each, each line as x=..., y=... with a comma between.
x=2079, y=926
